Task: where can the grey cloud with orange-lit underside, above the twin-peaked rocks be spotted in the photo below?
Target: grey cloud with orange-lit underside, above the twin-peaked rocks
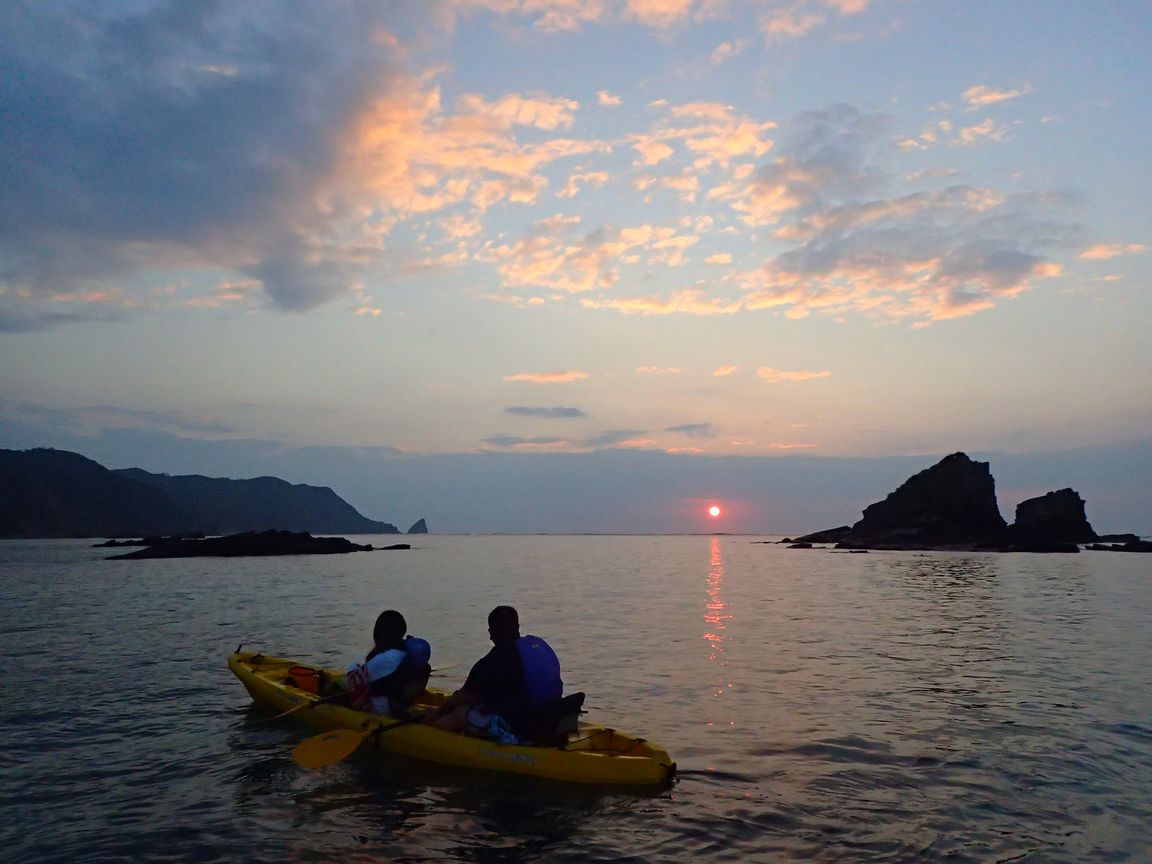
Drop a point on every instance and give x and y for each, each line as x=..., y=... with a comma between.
x=862, y=242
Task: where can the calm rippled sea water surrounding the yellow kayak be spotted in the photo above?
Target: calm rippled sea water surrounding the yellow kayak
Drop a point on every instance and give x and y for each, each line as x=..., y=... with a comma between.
x=823, y=707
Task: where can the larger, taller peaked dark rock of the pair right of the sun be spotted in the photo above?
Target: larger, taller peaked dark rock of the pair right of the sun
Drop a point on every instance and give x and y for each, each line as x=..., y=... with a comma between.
x=953, y=504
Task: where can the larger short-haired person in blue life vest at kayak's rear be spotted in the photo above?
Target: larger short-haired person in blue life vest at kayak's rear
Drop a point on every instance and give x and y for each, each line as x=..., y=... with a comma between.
x=510, y=691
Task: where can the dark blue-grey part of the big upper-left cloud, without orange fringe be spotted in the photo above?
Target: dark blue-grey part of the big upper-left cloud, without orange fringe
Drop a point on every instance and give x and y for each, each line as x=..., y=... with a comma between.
x=146, y=138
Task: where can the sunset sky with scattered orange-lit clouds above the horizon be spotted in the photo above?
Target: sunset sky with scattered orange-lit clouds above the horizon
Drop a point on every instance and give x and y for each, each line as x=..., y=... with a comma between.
x=579, y=266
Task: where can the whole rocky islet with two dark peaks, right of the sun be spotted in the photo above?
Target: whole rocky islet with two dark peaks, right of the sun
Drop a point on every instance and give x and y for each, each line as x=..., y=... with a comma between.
x=953, y=506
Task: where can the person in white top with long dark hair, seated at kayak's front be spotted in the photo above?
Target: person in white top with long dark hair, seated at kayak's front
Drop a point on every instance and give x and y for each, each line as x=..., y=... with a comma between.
x=396, y=671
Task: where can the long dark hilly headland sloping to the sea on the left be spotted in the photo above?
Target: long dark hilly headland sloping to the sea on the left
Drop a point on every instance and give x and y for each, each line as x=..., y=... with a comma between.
x=58, y=494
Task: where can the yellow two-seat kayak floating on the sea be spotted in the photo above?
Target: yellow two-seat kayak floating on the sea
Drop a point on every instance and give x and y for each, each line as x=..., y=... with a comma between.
x=592, y=755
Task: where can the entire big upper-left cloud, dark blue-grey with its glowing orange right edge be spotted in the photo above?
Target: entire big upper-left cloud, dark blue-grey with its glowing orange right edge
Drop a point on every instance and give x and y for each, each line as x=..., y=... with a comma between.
x=143, y=139
